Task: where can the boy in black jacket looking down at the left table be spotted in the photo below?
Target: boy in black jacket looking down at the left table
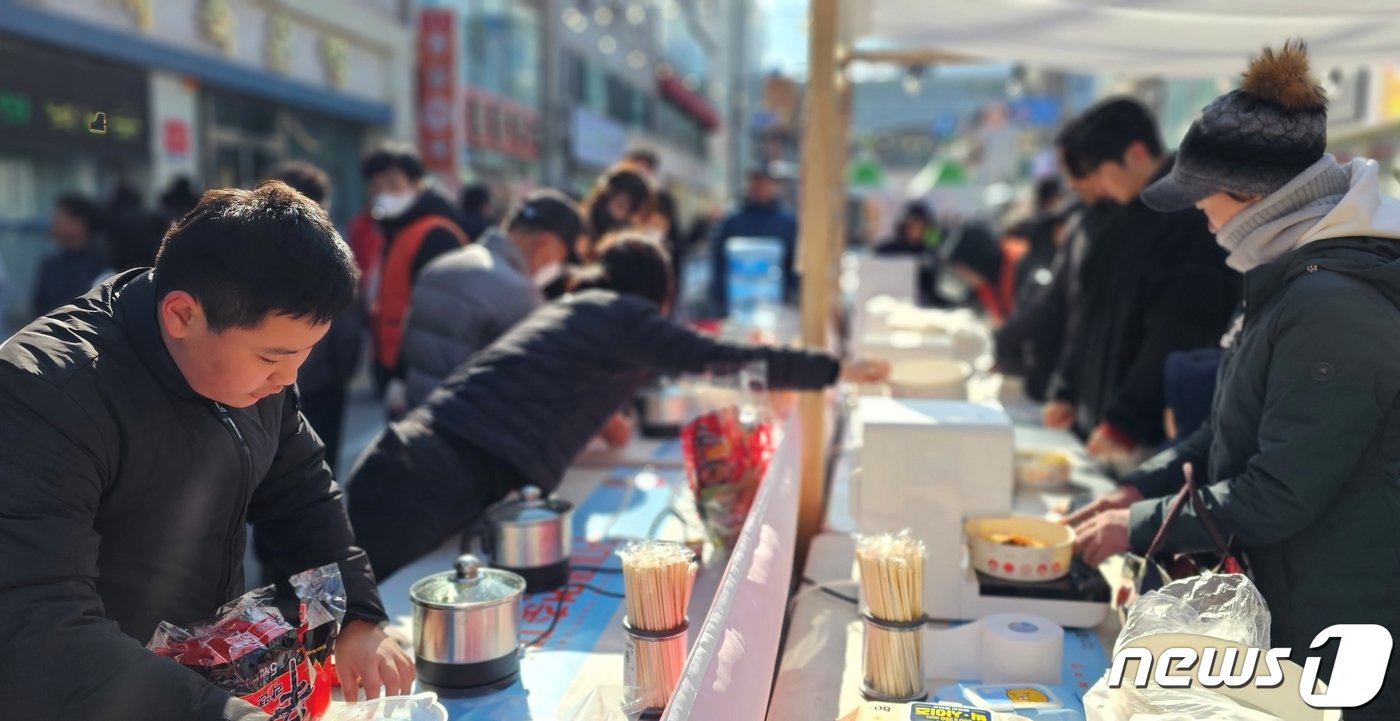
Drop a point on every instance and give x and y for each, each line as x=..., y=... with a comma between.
x=146, y=426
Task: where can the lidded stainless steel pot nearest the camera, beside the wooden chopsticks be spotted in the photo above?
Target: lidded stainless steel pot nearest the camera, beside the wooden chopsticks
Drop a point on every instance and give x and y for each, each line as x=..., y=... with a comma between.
x=467, y=626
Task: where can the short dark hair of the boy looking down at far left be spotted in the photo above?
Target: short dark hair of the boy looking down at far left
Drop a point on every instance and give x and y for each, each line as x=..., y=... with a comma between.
x=246, y=255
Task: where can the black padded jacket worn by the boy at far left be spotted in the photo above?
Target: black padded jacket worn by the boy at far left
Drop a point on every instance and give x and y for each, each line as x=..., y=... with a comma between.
x=125, y=500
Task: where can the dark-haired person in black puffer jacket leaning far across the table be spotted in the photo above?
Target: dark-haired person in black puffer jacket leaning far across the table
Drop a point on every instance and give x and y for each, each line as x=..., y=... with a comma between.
x=521, y=411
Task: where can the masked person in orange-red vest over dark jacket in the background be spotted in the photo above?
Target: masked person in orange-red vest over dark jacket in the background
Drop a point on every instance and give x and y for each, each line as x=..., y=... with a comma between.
x=419, y=225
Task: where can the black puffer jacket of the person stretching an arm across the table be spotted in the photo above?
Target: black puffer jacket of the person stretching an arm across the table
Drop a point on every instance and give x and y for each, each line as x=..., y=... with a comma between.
x=537, y=397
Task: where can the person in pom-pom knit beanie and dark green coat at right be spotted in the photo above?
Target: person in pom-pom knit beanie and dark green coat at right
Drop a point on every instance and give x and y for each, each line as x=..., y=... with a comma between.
x=1300, y=463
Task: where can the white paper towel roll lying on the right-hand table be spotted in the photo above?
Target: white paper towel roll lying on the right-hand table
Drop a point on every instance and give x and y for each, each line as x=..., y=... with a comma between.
x=1002, y=649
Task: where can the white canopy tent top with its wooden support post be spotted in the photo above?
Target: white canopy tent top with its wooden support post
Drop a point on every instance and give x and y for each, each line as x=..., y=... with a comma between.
x=1203, y=38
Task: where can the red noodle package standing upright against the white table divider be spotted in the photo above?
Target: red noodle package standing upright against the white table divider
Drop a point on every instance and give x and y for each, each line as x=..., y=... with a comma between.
x=726, y=461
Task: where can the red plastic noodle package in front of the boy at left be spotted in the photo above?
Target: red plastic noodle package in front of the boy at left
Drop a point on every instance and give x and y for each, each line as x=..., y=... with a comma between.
x=251, y=652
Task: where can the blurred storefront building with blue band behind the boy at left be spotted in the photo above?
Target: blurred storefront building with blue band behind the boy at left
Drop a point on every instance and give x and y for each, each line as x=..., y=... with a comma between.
x=218, y=92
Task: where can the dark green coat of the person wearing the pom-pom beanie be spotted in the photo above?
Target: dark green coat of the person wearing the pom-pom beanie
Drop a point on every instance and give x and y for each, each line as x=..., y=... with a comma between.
x=1301, y=460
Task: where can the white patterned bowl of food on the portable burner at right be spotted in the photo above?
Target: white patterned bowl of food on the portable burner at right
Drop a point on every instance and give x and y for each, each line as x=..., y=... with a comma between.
x=1021, y=563
